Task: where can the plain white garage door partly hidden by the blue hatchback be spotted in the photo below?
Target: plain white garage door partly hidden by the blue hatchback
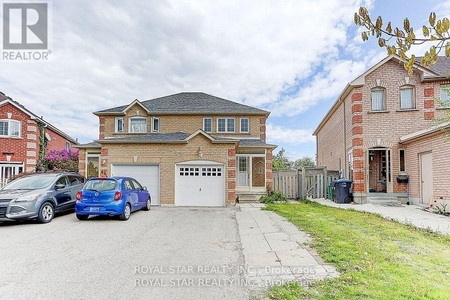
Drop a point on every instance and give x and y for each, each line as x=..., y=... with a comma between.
x=147, y=175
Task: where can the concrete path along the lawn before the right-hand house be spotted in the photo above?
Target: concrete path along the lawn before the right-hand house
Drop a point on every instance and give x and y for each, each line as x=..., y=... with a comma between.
x=408, y=214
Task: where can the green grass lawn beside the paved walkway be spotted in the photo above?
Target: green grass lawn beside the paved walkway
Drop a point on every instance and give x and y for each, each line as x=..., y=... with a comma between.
x=377, y=258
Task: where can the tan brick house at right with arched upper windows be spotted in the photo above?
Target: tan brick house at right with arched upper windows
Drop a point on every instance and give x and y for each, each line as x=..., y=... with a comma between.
x=382, y=129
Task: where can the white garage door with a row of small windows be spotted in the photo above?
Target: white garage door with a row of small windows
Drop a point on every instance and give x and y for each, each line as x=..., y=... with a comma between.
x=200, y=183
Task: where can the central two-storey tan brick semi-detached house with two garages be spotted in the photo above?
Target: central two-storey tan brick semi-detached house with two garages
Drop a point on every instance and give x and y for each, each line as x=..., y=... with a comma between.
x=188, y=149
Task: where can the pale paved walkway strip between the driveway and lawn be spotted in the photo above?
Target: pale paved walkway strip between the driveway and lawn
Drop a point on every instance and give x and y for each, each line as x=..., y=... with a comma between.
x=275, y=251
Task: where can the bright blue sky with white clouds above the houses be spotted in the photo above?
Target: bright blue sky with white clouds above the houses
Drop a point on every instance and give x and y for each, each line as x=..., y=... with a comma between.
x=292, y=58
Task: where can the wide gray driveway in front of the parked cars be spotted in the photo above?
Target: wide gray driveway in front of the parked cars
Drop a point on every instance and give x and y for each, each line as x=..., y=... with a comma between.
x=167, y=253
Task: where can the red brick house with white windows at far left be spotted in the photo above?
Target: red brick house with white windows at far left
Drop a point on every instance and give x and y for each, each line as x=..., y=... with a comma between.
x=19, y=138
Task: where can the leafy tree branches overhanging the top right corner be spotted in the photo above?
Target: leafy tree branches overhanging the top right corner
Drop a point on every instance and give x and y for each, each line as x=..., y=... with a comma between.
x=399, y=41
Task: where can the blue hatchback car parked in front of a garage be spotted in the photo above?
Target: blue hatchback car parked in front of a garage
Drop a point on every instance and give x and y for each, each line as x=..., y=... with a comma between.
x=111, y=196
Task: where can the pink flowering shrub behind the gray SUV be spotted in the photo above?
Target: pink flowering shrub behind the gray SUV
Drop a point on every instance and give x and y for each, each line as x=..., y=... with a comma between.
x=58, y=160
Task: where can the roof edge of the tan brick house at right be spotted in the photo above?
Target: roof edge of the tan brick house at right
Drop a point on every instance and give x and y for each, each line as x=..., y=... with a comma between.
x=435, y=72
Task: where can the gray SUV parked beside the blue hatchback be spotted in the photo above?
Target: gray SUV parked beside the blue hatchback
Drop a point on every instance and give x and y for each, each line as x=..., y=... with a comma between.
x=39, y=196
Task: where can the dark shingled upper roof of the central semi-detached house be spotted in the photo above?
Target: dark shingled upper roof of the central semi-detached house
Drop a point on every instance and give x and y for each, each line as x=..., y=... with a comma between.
x=189, y=103
